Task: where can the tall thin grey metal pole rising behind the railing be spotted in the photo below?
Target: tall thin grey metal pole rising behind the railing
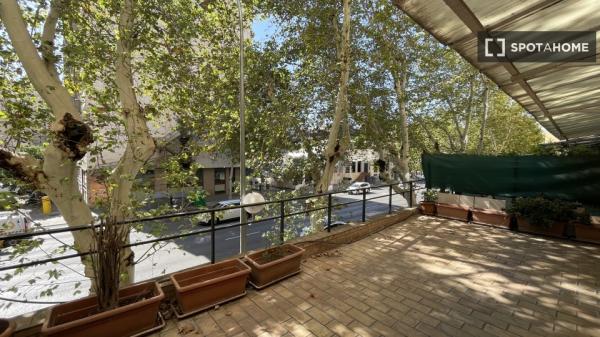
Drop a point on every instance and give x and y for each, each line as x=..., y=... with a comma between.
x=243, y=217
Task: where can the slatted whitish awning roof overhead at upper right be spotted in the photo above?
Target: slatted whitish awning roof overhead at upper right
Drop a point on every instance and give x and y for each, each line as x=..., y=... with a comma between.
x=563, y=97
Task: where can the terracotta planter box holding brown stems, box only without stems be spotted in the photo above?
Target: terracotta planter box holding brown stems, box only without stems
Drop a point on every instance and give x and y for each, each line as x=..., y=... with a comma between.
x=79, y=318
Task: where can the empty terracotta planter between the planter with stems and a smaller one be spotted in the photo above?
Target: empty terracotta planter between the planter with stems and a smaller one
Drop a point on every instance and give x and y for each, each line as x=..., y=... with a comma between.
x=207, y=286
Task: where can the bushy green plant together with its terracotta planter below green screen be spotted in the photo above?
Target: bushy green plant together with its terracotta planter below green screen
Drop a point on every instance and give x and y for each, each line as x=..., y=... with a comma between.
x=539, y=215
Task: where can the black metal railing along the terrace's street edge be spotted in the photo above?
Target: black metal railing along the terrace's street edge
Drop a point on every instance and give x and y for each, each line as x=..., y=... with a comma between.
x=407, y=192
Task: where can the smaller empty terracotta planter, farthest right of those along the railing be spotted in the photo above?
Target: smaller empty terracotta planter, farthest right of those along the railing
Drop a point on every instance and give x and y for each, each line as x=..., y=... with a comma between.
x=274, y=264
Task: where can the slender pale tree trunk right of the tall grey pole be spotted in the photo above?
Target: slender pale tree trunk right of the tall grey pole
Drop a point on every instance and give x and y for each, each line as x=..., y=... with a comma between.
x=339, y=137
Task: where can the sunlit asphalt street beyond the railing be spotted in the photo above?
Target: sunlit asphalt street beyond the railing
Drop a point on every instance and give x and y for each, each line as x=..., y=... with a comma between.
x=66, y=279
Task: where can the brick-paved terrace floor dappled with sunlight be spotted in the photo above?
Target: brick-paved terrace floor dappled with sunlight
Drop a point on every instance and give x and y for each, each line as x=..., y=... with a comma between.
x=424, y=277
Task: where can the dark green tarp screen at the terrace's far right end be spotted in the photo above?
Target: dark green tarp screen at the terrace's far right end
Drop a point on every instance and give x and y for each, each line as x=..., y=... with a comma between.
x=567, y=178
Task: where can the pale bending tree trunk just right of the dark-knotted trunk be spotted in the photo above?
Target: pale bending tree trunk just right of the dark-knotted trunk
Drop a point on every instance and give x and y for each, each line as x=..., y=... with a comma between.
x=140, y=144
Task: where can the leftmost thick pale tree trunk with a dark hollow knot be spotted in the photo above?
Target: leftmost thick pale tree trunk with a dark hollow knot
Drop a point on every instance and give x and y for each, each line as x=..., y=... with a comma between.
x=56, y=175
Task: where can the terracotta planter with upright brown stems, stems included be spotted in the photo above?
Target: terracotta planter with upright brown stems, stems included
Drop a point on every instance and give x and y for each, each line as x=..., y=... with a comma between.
x=111, y=311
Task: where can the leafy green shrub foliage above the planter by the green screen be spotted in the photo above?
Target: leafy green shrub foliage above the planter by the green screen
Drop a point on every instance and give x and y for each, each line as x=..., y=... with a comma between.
x=543, y=212
